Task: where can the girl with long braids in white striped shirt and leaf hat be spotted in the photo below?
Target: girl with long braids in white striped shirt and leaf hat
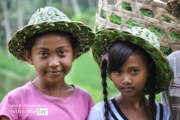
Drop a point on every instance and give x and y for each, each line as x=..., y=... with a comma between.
x=137, y=68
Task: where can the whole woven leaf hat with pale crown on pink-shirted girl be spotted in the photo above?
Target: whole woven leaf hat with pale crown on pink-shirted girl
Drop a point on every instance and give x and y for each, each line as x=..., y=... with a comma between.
x=50, y=19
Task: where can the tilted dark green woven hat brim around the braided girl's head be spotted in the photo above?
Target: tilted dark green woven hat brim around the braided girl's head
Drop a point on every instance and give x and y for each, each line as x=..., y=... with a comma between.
x=109, y=35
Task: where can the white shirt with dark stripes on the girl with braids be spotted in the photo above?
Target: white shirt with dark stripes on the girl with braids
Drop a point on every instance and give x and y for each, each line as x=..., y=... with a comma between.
x=97, y=112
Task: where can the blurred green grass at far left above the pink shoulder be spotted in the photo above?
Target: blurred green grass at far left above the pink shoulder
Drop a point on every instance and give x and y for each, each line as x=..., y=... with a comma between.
x=13, y=73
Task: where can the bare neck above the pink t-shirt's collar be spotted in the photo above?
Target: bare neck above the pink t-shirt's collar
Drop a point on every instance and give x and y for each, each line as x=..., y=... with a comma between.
x=58, y=89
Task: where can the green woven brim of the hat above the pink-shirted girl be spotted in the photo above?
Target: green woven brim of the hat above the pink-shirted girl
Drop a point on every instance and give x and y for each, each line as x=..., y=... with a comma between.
x=82, y=32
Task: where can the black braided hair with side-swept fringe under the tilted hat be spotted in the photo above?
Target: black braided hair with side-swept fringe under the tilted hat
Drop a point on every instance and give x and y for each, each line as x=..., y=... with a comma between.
x=118, y=54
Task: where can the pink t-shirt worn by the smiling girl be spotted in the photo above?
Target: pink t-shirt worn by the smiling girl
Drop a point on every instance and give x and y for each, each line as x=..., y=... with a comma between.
x=28, y=103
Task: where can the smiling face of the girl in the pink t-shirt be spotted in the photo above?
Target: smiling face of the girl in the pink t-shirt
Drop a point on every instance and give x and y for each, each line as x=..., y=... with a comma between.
x=52, y=55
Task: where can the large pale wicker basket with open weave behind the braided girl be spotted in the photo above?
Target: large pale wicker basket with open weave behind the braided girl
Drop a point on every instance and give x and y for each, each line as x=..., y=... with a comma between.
x=107, y=9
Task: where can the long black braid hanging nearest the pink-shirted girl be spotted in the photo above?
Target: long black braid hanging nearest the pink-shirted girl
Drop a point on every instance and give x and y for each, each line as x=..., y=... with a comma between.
x=105, y=93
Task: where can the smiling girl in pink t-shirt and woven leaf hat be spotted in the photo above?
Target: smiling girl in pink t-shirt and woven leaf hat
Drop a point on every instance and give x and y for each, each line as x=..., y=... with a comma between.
x=50, y=42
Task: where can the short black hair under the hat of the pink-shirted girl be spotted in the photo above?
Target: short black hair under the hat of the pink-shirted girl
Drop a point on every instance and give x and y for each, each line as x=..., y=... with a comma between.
x=30, y=42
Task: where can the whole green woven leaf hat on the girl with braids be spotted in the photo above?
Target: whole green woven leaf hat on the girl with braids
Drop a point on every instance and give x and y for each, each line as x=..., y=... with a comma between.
x=150, y=44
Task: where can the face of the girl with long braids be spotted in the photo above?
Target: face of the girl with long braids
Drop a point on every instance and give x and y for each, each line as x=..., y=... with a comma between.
x=131, y=78
